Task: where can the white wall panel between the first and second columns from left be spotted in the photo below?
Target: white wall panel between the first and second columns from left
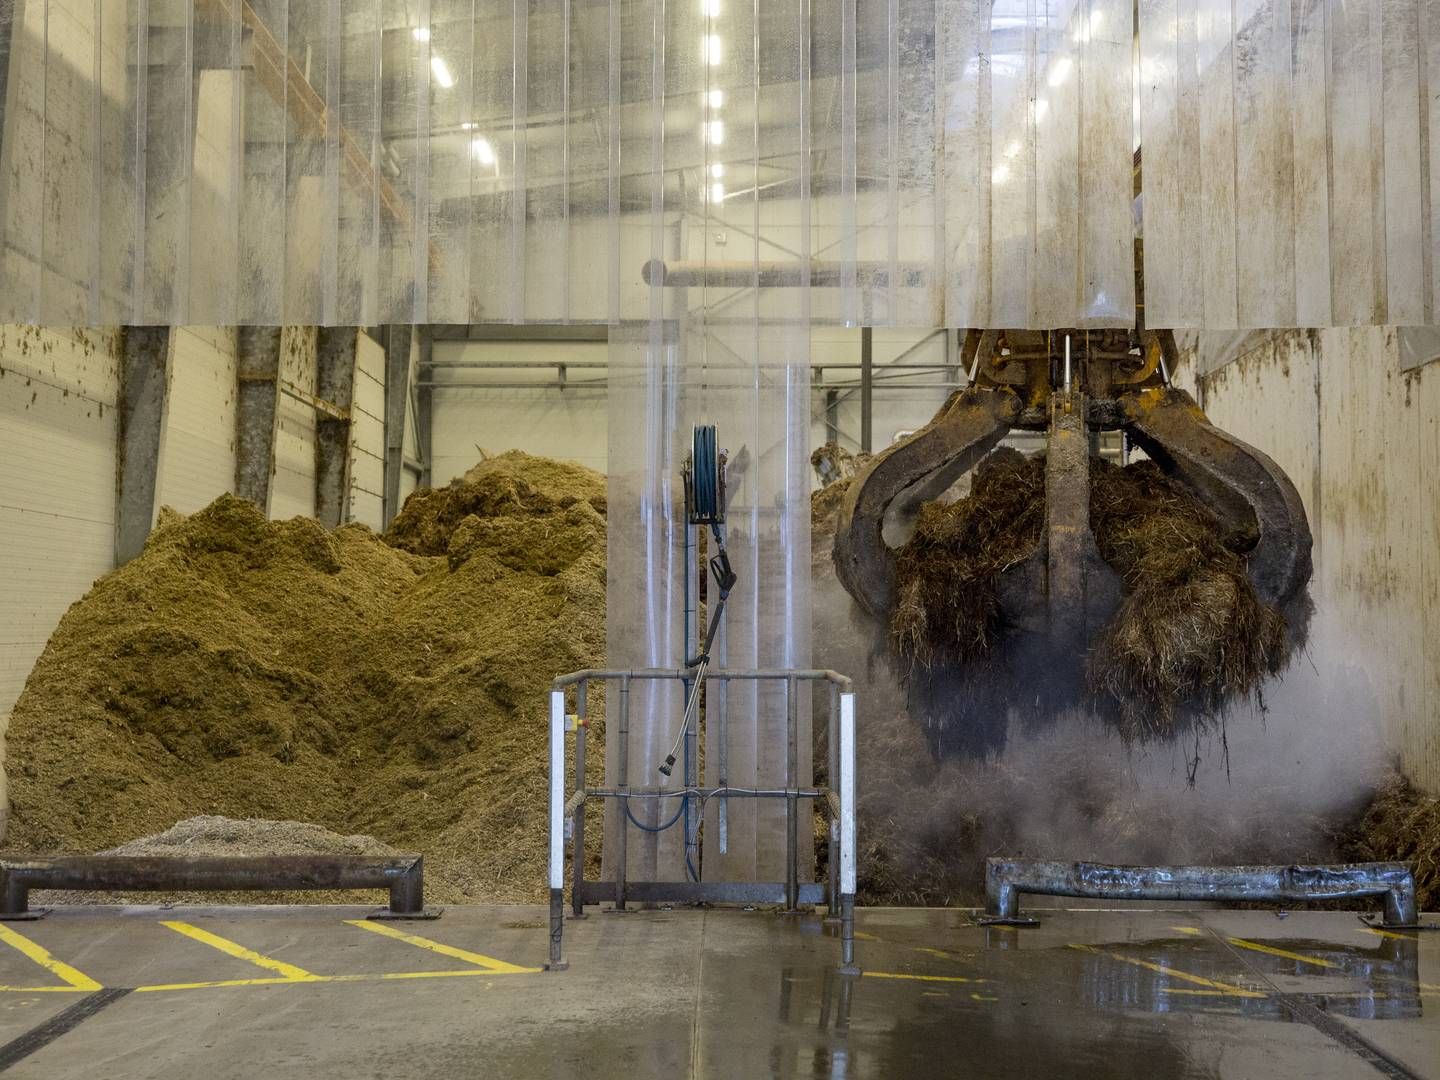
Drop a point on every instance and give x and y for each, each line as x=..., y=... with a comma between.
x=198, y=449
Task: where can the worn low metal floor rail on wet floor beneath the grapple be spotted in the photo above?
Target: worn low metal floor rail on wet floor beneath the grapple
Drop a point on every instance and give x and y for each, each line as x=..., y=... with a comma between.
x=1006, y=879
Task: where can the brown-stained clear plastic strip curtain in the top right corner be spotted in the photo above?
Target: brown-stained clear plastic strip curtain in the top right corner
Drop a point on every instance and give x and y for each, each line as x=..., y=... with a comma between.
x=1288, y=162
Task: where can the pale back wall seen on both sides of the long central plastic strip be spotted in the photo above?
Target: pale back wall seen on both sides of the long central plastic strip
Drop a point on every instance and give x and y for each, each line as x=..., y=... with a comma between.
x=572, y=424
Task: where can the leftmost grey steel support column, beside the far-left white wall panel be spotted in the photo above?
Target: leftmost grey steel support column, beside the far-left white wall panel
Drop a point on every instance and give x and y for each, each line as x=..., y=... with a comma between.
x=145, y=388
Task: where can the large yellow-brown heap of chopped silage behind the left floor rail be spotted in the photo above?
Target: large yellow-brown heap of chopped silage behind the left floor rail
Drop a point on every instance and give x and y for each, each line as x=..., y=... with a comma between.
x=273, y=670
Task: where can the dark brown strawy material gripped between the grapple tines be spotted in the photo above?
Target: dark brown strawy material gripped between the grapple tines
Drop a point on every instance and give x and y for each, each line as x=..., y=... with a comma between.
x=1190, y=634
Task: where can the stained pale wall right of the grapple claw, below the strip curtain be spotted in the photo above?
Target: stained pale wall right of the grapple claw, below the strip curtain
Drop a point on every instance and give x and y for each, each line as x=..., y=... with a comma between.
x=1362, y=440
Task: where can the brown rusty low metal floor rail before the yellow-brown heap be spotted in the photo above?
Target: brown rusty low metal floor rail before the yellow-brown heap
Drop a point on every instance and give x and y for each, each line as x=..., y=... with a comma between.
x=402, y=876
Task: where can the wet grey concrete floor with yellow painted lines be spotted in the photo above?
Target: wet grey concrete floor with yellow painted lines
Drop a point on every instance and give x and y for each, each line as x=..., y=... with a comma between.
x=302, y=993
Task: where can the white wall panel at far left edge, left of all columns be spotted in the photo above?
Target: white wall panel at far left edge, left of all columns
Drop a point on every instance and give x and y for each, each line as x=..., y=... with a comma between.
x=57, y=485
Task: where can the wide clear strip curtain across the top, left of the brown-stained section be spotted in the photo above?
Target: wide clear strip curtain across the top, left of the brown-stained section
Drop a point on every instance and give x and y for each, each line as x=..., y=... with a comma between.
x=366, y=162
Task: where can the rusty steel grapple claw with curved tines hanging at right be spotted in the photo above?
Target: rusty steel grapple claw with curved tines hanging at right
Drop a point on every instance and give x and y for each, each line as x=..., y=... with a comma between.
x=1117, y=381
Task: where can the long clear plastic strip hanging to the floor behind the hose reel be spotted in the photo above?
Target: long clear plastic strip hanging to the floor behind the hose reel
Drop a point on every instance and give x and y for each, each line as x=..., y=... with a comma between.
x=725, y=163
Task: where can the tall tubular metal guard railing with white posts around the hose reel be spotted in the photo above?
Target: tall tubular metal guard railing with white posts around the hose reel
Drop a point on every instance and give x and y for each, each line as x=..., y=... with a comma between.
x=839, y=804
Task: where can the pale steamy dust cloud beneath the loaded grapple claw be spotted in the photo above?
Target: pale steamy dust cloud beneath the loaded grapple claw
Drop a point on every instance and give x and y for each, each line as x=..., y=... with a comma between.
x=1275, y=780
